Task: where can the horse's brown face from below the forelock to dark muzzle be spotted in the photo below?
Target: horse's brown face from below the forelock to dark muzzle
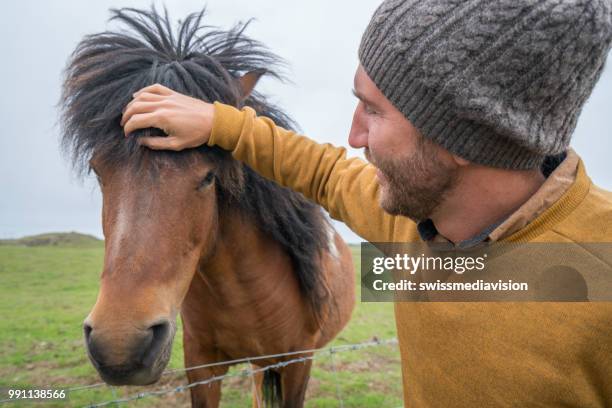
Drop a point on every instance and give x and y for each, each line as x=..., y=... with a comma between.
x=158, y=222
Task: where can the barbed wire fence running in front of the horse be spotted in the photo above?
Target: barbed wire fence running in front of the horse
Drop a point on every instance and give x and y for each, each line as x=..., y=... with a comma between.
x=300, y=357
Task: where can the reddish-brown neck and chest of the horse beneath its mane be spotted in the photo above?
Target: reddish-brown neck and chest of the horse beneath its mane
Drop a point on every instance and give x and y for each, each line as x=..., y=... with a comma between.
x=247, y=286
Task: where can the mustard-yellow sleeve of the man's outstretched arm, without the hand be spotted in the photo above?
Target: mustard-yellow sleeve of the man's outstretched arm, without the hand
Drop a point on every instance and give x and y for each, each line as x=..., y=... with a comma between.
x=346, y=188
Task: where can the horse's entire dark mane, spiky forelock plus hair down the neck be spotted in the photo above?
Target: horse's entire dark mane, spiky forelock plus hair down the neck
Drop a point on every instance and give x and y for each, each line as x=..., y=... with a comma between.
x=204, y=62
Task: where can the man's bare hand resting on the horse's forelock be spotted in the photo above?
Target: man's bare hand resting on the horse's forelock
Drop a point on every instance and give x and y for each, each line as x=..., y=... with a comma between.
x=187, y=121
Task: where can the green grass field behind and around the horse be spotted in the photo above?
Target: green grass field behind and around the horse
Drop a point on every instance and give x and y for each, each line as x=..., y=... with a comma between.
x=48, y=287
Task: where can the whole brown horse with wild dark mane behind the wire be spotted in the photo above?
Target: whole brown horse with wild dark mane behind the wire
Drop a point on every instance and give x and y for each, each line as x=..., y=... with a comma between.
x=253, y=268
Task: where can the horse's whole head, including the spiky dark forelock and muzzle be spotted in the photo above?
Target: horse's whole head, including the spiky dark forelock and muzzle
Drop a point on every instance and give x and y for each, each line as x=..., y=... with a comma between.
x=160, y=211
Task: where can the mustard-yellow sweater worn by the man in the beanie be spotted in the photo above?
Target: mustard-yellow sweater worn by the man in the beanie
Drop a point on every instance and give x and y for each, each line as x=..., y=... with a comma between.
x=456, y=354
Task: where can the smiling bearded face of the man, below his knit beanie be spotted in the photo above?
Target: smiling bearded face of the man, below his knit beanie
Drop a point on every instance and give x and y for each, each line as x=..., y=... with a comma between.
x=414, y=174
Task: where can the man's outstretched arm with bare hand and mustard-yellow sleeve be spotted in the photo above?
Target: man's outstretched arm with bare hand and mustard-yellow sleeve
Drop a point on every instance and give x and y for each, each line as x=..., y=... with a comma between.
x=346, y=188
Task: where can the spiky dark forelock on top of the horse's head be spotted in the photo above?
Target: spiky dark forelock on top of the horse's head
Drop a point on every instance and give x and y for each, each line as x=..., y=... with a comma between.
x=106, y=68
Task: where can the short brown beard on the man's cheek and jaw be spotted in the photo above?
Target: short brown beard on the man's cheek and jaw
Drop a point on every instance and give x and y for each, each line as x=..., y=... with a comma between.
x=414, y=186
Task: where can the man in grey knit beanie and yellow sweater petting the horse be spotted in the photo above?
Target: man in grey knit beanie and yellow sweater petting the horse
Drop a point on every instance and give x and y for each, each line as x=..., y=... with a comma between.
x=466, y=109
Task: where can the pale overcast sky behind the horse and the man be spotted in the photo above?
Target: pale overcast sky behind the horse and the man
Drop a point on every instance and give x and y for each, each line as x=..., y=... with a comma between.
x=319, y=39
